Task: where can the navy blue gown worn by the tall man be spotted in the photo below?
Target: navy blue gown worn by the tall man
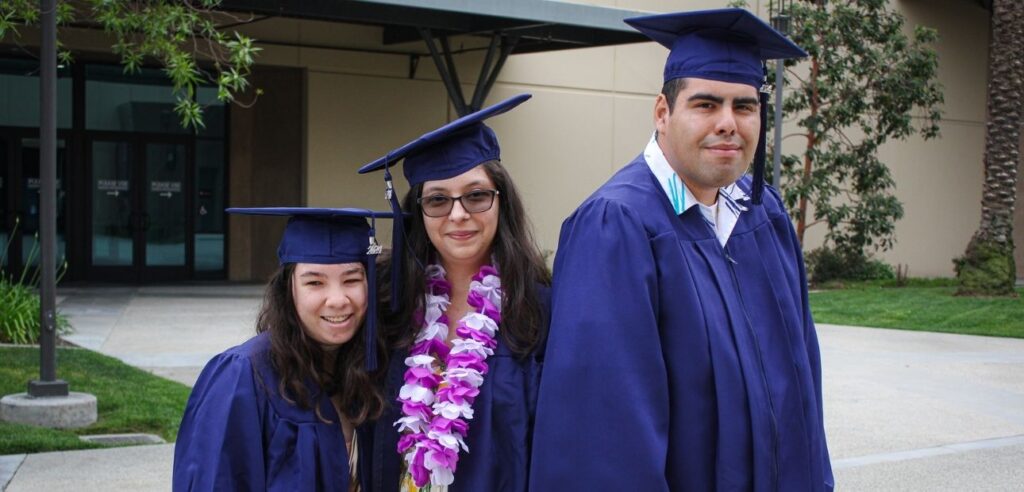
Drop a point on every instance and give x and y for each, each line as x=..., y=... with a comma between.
x=674, y=363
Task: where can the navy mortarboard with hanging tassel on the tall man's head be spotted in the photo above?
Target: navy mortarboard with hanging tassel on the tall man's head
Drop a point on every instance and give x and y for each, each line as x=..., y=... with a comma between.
x=726, y=46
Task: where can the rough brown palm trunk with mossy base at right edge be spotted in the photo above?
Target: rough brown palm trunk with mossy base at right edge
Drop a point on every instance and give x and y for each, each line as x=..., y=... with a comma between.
x=988, y=267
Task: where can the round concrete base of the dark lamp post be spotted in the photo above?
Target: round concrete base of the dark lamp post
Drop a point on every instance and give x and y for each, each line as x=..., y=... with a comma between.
x=73, y=412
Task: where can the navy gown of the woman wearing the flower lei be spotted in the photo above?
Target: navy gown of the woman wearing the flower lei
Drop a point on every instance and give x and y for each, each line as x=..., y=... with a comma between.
x=499, y=433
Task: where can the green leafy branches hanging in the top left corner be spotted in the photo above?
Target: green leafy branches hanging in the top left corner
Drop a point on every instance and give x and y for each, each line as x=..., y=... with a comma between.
x=181, y=35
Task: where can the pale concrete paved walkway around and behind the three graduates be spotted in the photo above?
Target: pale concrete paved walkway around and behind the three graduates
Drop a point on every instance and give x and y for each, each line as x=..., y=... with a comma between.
x=904, y=411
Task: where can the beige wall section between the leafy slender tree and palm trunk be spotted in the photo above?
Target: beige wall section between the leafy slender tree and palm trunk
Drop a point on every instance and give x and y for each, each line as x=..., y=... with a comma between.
x=941, y=181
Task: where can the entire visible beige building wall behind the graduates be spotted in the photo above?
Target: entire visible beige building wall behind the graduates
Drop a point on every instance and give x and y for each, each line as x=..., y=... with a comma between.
x=591, y=114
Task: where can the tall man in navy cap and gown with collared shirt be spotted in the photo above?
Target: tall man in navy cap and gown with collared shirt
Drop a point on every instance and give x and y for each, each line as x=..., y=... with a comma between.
x=682, y=354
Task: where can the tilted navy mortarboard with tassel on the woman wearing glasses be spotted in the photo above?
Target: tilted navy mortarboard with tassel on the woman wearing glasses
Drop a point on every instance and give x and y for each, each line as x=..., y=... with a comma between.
x=447, y=152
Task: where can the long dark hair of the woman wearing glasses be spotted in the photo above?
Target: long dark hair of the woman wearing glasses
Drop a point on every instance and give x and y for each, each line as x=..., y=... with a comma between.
x=519, y=259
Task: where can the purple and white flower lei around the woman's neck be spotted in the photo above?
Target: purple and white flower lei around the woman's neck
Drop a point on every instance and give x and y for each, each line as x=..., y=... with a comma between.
x=437, y=409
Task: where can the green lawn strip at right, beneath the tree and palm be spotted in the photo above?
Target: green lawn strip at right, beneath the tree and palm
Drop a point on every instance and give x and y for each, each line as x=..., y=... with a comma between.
x=924, y=305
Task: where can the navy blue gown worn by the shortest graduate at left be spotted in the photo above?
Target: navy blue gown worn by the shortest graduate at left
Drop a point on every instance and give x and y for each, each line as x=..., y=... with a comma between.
x=239, y=434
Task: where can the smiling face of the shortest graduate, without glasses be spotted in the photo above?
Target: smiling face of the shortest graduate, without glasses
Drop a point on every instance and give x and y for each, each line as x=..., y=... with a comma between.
x=331, y=301
